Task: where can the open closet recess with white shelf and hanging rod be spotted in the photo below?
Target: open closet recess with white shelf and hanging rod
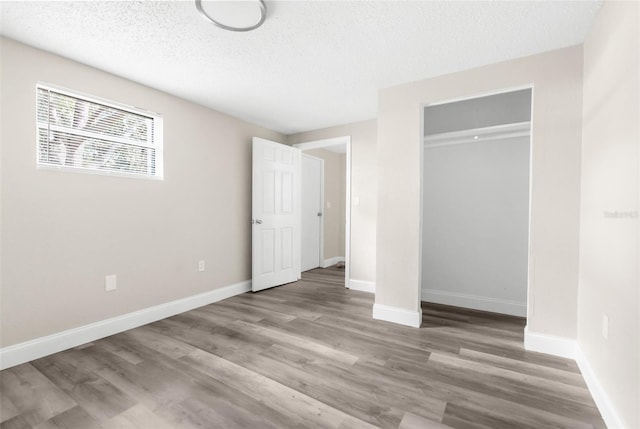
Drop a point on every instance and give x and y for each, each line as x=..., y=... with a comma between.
x=475, y=202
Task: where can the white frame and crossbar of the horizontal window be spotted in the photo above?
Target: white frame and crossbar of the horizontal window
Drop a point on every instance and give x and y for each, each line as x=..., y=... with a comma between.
x=157, y=130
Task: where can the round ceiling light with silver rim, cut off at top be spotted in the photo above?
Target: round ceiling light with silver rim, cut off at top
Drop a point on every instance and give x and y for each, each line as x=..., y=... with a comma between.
x=239, y=15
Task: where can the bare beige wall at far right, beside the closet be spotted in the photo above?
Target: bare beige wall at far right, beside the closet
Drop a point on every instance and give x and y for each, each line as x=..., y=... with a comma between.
x=609, y=282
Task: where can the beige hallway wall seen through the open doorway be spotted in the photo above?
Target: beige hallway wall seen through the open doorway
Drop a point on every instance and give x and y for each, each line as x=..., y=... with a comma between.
x=334, y=201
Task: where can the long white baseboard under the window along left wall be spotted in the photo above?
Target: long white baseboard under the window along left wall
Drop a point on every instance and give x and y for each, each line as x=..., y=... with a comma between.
x=43, y=346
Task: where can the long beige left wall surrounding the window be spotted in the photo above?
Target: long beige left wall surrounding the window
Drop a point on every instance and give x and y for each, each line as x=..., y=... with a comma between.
x=63, y=232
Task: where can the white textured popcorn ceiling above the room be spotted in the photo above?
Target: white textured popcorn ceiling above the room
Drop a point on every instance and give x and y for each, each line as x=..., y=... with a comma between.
x=312, y=64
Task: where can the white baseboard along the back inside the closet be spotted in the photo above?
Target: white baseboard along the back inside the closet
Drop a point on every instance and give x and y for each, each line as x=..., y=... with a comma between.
x=513, y=308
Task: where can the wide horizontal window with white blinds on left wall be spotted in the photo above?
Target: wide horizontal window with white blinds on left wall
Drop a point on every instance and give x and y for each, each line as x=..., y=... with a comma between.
x=96, y=136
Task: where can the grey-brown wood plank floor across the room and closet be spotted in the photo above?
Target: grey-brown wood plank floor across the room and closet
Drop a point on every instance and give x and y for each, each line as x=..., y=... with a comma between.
x=304, y=355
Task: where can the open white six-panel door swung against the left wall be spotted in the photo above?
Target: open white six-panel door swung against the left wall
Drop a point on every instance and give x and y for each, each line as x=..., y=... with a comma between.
x=276, y=214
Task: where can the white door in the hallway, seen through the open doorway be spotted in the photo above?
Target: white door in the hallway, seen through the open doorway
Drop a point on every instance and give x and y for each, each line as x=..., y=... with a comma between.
x=312, y=171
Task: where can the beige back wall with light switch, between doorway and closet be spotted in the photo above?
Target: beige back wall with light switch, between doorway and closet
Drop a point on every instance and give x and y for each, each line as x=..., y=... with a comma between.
x=363, y=189
